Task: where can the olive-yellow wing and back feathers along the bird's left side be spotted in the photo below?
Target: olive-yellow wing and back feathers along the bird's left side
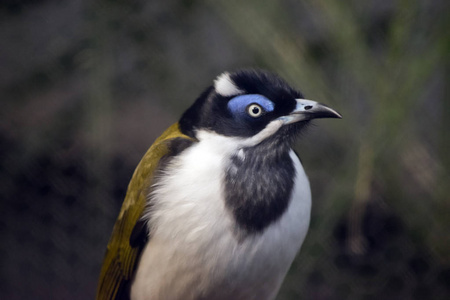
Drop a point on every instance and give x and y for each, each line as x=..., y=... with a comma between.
x=120, y=259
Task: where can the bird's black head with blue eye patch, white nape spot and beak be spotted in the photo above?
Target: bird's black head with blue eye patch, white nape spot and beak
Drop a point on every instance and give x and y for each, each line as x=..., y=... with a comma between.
x=254, y=106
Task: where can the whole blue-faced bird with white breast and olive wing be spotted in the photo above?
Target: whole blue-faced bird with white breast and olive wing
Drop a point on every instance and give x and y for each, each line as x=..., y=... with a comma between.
x=220, y=204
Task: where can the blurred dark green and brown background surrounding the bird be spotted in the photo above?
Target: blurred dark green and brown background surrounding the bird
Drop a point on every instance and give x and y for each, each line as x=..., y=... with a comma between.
x=86, y=86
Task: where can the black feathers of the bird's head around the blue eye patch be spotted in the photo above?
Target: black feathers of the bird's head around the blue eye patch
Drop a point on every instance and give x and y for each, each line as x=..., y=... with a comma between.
x=211, y=112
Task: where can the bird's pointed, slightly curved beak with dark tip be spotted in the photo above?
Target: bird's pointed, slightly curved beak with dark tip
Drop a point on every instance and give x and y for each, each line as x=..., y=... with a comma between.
x=307, y=110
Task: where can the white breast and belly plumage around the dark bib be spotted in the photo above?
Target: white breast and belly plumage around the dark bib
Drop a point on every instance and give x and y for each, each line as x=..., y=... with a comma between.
x=194, y=253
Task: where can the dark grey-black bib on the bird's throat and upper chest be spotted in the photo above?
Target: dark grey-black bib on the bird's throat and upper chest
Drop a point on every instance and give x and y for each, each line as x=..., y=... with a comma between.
x=258, y=187
